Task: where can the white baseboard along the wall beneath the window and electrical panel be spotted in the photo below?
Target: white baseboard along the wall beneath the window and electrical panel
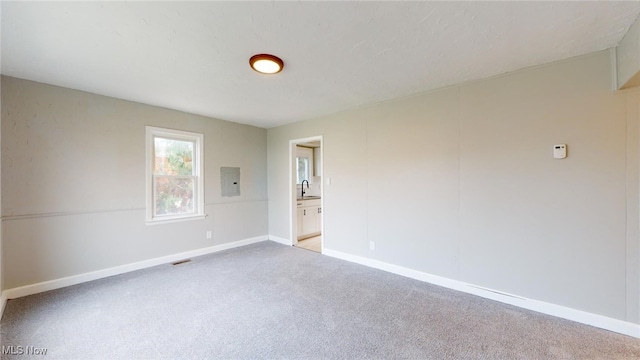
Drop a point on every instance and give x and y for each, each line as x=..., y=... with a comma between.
x=99, y=274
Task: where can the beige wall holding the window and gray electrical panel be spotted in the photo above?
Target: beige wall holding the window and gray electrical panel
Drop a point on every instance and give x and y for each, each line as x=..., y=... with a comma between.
x=73, y=186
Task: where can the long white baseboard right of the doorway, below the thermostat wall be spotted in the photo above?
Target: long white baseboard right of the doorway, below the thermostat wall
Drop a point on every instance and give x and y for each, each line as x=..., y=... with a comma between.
x=580, y=316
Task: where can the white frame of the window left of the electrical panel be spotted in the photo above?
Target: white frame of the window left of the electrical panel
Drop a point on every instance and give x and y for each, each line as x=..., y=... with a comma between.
x=198, y=167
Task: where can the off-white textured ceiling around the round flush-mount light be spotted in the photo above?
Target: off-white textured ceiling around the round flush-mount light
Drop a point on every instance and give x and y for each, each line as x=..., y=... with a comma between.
x=338, y=55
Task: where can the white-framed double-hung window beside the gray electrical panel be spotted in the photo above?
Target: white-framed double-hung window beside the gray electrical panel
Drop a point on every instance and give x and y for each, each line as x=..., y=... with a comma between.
x=175, y=189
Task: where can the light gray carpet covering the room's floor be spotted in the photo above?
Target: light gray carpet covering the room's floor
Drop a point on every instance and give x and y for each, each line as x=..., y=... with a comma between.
x=269, y=301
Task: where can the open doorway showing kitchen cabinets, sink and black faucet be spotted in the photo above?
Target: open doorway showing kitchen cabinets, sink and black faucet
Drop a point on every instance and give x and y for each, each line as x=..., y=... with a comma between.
x=306, y=190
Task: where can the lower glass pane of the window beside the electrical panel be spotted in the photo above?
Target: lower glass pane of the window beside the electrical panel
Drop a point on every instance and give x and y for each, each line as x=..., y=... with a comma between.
x=174, y=196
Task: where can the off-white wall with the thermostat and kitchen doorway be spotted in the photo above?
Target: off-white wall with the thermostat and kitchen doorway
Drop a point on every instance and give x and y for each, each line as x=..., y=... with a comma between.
x=461, y=183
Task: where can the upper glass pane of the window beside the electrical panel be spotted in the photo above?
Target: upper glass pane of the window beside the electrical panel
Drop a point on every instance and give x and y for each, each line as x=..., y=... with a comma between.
x=173, y=157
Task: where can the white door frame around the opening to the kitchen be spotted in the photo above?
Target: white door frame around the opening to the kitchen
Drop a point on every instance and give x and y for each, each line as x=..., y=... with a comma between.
x=293, y=196
